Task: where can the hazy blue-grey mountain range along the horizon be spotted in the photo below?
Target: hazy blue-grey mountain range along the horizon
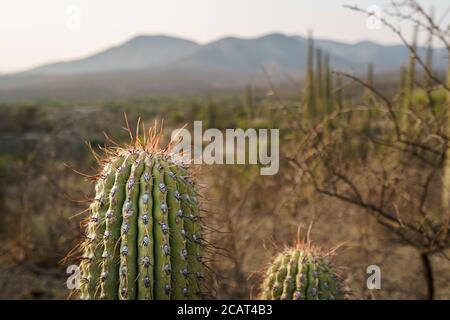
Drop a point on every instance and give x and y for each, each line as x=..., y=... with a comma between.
x=157, y=64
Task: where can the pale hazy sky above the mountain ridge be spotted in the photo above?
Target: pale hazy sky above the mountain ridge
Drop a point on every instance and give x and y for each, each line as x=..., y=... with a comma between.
x=36, y=32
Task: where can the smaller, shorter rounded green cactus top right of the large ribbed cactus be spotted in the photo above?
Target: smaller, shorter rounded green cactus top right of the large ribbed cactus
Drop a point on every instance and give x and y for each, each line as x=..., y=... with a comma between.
x=302, y=273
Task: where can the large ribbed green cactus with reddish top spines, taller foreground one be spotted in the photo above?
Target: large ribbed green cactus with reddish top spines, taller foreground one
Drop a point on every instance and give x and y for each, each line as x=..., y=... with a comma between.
x=143, y=235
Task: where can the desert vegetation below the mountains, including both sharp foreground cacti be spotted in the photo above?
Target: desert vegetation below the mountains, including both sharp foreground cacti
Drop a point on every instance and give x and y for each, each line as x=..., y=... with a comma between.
x=367, y=160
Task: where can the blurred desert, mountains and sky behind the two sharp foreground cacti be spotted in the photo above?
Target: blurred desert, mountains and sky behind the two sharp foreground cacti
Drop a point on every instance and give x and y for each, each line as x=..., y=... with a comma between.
x=360, y=95
